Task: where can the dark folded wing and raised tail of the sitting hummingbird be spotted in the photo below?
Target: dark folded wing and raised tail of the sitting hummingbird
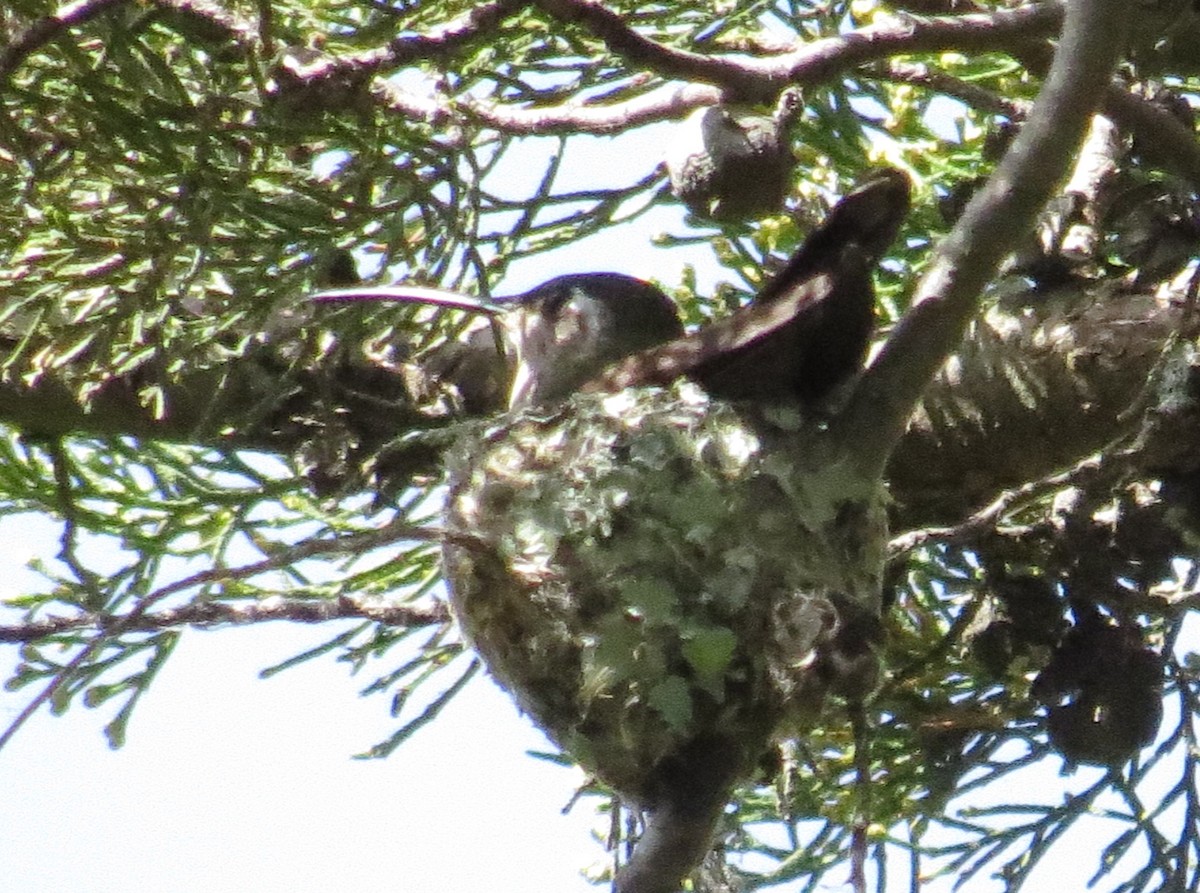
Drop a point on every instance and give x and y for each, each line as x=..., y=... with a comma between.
x=809, y=328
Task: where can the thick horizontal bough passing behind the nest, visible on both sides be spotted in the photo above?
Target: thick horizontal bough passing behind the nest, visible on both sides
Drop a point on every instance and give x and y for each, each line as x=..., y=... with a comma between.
x=1027, y=394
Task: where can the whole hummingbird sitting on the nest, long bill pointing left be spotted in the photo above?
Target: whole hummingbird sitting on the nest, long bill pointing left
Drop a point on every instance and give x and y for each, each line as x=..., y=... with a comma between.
x=805, y=334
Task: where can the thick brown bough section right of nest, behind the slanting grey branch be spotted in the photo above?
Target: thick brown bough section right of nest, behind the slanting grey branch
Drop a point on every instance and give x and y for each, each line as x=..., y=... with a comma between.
x=1028, y=395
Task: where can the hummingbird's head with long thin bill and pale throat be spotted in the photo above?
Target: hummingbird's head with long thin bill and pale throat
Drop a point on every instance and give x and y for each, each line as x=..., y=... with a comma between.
x=562, y=333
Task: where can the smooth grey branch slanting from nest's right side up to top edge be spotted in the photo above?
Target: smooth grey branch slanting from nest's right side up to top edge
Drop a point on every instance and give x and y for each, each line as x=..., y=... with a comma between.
x=999, y=215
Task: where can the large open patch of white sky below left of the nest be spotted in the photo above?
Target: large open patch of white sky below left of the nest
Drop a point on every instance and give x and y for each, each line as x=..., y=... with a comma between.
x=231, y=783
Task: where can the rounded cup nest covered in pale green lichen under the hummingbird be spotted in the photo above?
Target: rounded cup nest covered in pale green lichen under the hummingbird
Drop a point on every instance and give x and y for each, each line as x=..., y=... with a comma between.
x=651, y=570
